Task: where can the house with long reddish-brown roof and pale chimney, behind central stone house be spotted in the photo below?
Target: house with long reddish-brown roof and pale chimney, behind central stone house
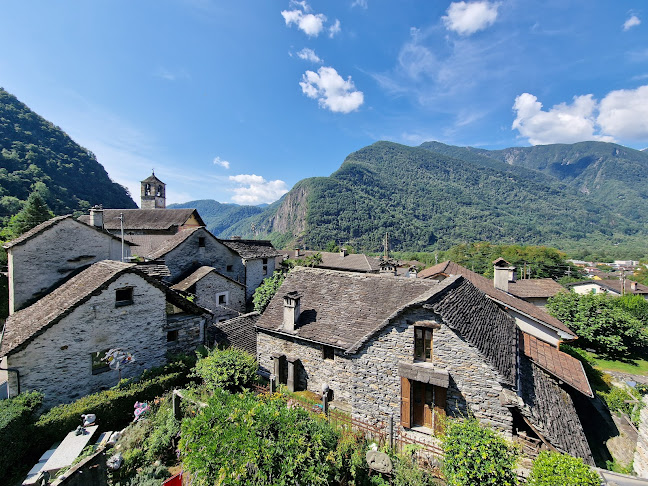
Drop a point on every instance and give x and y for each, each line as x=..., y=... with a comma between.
x=528, y=317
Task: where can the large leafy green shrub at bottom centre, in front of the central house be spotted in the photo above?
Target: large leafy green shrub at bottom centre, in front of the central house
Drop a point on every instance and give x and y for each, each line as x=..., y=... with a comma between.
x=239, y=439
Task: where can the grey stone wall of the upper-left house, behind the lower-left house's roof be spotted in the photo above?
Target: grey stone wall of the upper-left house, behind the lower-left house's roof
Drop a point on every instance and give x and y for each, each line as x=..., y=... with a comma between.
x=51, y=256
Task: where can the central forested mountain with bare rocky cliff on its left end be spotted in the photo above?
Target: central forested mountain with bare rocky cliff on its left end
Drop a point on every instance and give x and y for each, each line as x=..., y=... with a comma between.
x=428, y=200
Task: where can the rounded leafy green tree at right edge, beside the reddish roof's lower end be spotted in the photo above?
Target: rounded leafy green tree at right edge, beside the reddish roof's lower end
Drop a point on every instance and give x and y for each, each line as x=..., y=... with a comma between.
x=599, y=323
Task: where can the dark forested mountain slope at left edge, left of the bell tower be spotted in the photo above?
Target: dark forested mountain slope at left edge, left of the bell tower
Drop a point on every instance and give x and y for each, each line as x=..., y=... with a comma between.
x=33, y=150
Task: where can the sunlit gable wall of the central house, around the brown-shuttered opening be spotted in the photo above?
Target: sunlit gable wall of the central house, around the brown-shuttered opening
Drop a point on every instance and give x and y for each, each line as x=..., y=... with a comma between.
x=474, y=384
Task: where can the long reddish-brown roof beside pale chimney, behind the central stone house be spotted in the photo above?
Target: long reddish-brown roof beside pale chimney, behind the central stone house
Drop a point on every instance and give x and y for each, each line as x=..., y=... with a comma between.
x=449, y=268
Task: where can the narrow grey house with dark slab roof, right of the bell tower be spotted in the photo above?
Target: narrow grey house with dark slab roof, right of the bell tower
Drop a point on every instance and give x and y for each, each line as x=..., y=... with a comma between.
x=258, y=258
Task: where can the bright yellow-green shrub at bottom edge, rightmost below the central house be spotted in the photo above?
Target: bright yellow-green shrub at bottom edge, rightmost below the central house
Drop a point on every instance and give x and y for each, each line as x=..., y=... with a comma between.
x=552, y=468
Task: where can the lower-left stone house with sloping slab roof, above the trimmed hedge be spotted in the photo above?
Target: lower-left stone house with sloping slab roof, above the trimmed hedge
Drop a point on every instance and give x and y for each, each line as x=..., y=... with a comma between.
x=56, y=344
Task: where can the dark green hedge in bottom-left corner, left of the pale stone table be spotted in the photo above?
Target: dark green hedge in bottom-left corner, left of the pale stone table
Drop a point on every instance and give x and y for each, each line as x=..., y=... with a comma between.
x=16, y=418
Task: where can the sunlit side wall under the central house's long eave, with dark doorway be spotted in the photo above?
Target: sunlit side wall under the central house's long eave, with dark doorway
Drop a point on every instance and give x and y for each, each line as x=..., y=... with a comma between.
x=314, y=370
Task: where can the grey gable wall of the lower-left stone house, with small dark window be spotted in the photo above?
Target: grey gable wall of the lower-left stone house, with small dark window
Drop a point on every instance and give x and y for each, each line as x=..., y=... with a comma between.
x=58, y=362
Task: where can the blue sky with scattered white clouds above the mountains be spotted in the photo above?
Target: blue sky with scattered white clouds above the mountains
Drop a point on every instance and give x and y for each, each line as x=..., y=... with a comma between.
x=237, y=101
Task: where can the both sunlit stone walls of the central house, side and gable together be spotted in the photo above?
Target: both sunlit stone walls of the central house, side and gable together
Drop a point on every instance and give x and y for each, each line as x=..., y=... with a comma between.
x=368, y=382
